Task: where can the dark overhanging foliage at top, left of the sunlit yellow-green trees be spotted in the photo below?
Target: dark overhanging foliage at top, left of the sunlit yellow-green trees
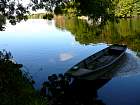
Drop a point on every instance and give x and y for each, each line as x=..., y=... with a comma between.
x=96, y=9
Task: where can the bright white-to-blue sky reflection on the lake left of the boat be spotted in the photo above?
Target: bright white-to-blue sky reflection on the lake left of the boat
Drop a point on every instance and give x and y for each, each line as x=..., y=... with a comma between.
x=43, y=49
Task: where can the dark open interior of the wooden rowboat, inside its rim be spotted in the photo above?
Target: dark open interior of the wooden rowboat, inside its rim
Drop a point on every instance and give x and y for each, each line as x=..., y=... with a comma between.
x=100, y=59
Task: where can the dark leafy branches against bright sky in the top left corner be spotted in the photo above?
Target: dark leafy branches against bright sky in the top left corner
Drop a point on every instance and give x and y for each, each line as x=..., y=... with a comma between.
x=12, y=10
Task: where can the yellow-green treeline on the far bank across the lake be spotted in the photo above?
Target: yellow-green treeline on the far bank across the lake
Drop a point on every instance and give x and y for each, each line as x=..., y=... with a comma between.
x=97, y=8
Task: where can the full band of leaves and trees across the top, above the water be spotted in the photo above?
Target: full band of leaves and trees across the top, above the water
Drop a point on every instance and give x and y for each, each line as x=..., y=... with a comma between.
x=102, y=10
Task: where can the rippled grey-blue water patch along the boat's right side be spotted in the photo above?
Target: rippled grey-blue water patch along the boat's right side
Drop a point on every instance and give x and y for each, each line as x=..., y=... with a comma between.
x=128, y=65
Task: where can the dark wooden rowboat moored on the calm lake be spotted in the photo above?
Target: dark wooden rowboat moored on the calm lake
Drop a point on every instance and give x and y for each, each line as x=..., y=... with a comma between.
x=98, y=63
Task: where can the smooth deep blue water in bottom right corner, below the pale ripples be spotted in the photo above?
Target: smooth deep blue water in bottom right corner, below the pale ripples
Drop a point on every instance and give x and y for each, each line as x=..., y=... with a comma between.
x=121, y=91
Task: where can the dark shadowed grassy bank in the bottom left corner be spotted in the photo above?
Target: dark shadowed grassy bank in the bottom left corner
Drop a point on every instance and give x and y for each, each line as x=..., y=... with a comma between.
x=16, y=86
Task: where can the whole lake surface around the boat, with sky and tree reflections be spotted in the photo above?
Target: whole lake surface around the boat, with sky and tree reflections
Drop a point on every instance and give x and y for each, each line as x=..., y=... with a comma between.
x=47, y=47
